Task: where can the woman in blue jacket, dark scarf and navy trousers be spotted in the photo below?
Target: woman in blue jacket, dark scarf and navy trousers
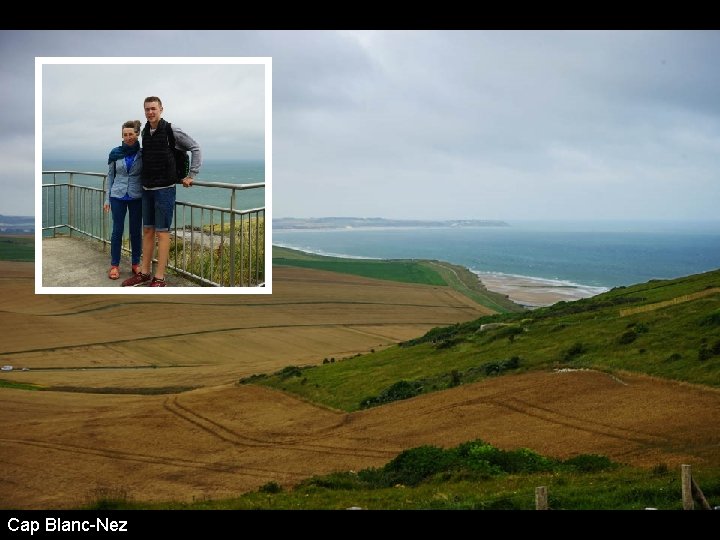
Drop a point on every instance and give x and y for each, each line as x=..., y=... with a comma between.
x=124, y=195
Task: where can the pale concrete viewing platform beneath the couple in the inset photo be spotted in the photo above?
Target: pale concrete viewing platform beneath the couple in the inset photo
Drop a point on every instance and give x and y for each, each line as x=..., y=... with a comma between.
x=72, y=261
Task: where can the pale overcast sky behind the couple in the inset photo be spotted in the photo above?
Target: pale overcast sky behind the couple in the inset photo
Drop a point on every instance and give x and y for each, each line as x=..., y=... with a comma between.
x=220, y=106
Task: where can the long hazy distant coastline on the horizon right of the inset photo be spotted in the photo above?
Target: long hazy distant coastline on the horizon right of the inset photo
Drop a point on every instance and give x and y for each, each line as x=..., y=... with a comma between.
x=364, y=223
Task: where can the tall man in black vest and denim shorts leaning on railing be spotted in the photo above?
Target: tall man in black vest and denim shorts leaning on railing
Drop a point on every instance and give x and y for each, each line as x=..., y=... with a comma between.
x=158, y=180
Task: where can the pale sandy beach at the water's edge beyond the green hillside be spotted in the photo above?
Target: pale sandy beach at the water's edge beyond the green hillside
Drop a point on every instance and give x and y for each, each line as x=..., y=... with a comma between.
x=536, y=292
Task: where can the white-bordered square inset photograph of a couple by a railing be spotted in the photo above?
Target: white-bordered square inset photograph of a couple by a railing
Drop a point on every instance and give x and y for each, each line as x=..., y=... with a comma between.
x=153, y=175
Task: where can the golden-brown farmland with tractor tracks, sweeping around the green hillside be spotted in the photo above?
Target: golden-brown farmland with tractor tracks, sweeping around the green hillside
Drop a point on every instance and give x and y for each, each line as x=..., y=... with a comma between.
x=60, y=449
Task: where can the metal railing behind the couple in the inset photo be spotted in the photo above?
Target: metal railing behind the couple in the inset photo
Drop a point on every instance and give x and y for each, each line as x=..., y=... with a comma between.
x=211, y=245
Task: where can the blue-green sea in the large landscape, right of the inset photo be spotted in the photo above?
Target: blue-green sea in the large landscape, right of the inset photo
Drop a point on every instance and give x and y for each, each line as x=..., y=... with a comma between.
x=590, y=256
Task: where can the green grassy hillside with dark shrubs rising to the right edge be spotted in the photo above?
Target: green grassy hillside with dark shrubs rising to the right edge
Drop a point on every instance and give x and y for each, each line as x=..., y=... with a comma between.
x=668, y=328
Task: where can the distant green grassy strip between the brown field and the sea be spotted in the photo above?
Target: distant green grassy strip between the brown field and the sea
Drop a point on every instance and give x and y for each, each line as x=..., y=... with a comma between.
x=427, y=272
